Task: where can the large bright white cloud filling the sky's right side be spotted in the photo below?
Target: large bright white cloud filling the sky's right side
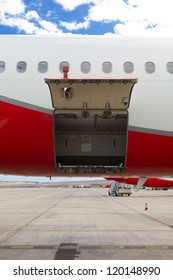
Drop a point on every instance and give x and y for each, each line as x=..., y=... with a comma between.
x=135, y=16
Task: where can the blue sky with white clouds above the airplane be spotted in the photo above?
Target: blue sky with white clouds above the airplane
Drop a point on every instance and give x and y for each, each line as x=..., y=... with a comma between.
x=93, y=17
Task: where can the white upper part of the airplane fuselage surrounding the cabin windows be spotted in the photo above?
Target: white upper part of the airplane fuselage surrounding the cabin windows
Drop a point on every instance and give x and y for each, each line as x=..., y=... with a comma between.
x=152, y=98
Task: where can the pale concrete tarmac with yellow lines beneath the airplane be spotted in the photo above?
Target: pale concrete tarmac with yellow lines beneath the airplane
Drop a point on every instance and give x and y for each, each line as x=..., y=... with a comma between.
x=63, y=223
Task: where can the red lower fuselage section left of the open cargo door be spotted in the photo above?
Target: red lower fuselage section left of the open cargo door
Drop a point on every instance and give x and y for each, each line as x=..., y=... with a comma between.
x=26, y=141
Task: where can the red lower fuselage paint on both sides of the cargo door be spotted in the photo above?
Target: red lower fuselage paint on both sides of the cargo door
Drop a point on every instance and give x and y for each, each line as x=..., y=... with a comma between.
x=27, y=146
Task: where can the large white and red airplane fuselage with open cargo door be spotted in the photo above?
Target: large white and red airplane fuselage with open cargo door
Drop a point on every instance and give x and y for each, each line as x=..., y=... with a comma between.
x=86, y=106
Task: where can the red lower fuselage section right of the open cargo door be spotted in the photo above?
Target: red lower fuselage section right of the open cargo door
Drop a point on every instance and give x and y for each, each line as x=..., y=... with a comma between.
x=149, y=154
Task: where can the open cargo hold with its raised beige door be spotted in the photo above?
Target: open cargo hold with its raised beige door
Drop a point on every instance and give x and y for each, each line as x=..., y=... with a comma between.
x=90, y=124
